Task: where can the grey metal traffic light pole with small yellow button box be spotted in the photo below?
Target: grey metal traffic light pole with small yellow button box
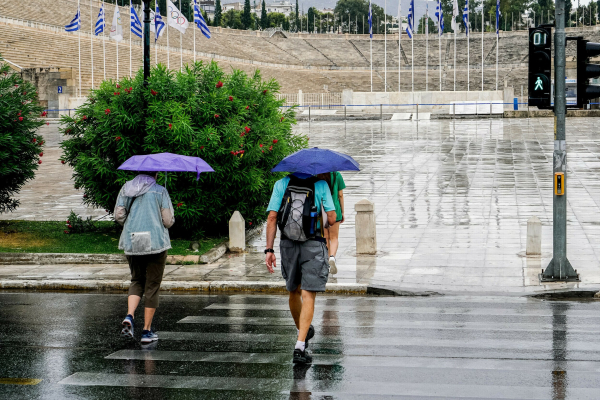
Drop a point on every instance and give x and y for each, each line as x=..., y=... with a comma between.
x=559, y=268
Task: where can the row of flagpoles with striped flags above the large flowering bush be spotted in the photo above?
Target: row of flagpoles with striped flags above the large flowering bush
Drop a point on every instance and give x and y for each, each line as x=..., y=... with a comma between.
x=174, y=18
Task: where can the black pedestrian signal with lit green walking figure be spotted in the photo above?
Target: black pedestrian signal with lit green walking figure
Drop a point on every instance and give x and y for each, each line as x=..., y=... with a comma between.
x=540, y=67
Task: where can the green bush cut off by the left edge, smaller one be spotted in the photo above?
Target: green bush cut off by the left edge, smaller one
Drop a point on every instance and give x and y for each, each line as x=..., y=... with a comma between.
x=21, y=148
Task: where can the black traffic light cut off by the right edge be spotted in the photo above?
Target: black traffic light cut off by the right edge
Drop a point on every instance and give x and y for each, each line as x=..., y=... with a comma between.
x=585, y=71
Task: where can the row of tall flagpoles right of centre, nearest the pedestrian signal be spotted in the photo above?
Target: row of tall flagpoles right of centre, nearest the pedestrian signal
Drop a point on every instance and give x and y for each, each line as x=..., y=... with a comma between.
x=440, y=22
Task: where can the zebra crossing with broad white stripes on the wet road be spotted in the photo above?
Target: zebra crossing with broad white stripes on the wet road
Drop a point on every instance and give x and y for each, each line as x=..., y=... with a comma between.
x=377, y=348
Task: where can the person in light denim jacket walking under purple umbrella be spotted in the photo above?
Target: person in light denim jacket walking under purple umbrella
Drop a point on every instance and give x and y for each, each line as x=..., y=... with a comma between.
x=145, y=210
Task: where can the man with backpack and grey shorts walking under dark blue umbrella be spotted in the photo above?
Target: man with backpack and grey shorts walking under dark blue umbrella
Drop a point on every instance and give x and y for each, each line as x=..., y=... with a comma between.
x=297, y=207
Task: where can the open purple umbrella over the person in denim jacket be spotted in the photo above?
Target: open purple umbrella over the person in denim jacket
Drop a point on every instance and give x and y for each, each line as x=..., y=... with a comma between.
x=166, y=162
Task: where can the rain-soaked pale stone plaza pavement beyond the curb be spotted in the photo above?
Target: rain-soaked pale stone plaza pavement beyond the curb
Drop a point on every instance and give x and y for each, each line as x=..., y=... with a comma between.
x=452, y=199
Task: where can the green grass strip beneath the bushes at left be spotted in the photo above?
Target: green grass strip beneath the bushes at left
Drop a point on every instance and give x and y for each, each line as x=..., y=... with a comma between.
x=49, y=237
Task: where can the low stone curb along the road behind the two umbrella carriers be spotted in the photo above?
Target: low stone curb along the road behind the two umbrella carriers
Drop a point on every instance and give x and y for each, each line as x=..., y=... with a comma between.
x=172, y=286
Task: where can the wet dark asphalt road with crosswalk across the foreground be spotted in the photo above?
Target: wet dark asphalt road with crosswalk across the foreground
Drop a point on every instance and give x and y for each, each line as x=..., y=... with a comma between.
x=240, y=346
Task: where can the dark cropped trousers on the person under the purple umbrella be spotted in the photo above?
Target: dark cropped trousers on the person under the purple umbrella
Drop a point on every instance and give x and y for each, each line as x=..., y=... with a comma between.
x=146, y=276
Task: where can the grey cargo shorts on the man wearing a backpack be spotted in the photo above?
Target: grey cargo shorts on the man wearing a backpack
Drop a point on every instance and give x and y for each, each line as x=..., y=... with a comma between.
x=305, y=264
